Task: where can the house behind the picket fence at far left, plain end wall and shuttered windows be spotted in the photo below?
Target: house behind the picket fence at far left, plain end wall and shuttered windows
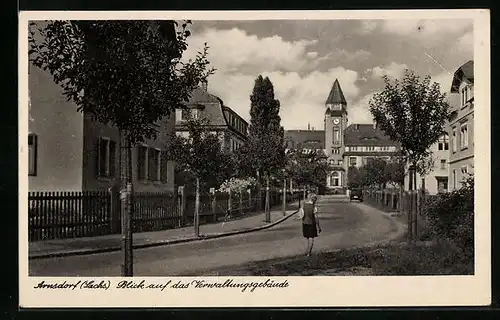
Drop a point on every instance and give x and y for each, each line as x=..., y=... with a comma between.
x=68, y=151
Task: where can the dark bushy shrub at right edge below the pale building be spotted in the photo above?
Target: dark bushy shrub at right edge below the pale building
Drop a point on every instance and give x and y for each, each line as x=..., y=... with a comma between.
x=451, y=215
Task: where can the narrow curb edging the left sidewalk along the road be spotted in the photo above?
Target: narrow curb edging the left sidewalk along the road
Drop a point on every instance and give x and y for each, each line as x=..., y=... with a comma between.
x=159, y=243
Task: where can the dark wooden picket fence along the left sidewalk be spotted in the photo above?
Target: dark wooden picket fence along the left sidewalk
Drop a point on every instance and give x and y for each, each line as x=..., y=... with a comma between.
x=62, y=215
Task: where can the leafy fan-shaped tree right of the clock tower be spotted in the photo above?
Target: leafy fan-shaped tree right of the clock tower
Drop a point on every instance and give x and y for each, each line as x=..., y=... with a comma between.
x=413, y=112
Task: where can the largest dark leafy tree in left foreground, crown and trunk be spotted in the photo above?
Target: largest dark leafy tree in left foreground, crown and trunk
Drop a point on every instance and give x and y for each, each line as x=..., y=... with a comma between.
x=125, y=73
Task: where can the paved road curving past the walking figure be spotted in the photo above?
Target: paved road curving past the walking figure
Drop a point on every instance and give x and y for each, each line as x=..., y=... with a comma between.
x=344, y=224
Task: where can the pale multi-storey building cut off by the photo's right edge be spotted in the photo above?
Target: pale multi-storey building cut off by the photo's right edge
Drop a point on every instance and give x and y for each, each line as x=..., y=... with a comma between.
x=461, y=126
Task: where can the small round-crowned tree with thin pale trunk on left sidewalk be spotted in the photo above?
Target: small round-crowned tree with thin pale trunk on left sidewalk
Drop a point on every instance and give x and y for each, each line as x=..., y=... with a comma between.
x=201, y=156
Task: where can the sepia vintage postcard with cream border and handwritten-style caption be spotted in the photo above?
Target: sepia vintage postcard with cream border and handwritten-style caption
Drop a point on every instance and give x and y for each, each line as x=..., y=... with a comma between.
x=254, y=158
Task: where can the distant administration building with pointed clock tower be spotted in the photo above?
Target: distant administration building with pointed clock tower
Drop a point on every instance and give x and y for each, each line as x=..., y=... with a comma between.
x=343, y=144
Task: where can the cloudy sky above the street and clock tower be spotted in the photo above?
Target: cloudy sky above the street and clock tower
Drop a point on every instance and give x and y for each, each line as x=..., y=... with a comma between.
x=302, y=58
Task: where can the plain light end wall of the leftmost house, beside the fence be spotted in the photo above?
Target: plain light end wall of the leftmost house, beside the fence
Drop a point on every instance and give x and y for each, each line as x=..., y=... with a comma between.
x=59, y=130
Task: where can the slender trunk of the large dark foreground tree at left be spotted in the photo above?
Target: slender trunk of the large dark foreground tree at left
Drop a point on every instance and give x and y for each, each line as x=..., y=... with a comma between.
x=126, y=190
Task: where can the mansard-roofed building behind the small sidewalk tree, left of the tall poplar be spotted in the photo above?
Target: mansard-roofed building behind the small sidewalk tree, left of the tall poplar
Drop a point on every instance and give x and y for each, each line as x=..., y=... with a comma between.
x=231, y=128
